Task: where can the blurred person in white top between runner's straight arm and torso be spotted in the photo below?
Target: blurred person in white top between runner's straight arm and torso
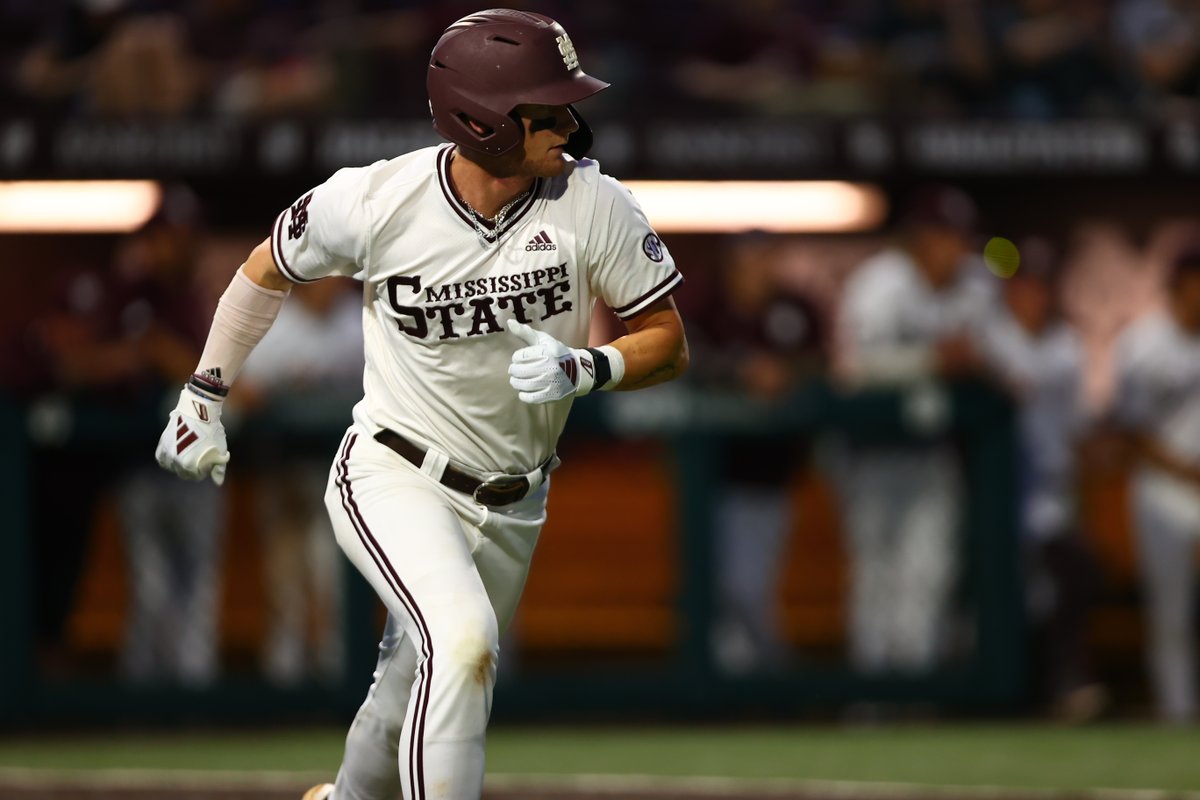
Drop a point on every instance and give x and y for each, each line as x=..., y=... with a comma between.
x=313, y=358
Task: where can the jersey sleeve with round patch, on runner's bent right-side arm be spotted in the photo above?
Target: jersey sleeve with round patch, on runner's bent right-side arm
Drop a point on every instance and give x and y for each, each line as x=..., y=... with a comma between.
x=631, y=267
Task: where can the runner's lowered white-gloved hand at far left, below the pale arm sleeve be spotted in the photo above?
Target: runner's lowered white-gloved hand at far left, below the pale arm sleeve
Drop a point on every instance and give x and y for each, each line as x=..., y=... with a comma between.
x=194, y=444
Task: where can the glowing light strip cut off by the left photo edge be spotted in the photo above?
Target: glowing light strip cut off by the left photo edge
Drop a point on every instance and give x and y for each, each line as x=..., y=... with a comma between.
x=77, y=207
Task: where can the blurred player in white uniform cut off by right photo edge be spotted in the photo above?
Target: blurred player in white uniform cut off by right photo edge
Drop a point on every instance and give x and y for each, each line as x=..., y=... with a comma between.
x=1159, y=402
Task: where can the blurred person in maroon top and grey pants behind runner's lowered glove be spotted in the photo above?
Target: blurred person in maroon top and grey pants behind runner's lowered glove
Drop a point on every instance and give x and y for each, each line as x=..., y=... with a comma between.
x=172, y=531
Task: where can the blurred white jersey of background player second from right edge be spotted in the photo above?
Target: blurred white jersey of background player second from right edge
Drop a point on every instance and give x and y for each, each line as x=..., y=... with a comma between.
x=1047, y=372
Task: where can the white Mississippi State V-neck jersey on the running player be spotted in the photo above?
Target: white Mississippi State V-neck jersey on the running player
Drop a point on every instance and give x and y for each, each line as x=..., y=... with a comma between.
x=436, y=298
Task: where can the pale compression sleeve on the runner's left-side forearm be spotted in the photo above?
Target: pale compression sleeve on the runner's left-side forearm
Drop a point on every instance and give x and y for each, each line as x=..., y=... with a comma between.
x=244, y=315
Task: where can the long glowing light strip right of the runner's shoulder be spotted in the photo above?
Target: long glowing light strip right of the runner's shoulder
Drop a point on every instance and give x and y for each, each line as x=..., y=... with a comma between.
x=777, y=207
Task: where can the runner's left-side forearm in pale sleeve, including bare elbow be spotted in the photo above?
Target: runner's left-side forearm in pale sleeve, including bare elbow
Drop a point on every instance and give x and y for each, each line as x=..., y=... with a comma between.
x=245, y=314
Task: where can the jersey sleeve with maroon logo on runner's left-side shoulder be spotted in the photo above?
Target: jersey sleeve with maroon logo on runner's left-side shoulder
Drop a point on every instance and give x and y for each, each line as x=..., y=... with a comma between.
x=326, y=232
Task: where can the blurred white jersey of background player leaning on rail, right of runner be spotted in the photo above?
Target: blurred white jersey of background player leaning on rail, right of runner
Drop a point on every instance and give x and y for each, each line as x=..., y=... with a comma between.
x=891, y=317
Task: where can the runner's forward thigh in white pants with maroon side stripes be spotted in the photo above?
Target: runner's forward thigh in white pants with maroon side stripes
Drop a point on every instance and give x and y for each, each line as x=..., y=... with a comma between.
x=411, y=544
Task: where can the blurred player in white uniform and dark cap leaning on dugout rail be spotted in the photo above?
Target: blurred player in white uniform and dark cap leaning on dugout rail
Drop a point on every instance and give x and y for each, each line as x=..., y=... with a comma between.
x=910, y=317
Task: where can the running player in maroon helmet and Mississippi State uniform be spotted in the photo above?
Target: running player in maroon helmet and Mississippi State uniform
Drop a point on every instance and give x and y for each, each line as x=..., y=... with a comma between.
x=481, y=262
